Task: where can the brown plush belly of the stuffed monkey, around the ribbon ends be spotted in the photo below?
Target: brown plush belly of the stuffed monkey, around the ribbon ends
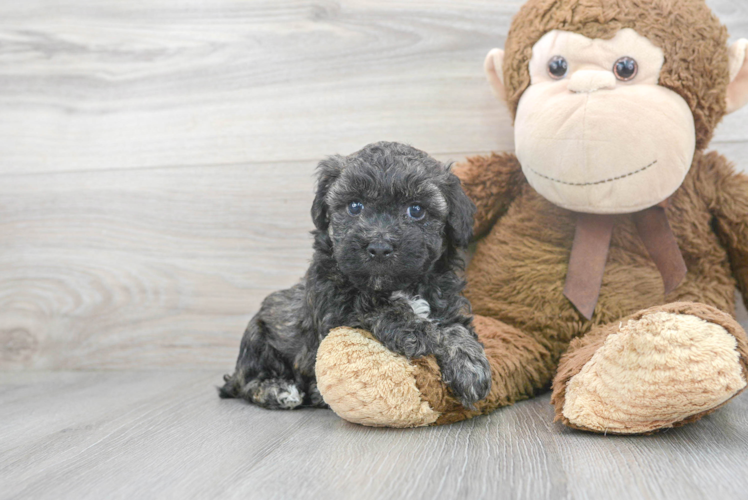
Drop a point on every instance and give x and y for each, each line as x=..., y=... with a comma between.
x=518, y=272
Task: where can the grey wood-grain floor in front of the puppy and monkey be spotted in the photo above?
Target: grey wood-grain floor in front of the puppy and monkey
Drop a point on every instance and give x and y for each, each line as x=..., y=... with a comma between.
x=166, y=435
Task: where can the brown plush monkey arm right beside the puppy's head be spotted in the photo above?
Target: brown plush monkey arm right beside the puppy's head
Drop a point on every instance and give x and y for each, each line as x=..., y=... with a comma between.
x=491, y=182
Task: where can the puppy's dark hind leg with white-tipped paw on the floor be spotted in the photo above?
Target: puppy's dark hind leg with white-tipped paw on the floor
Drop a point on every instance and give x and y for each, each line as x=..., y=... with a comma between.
x=262, y=376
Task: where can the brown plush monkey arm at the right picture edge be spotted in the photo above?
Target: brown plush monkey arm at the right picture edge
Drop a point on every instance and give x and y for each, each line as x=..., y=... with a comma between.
x=728, y=198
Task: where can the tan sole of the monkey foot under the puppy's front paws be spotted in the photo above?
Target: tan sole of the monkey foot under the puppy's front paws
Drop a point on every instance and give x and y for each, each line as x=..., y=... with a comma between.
x=365, y=383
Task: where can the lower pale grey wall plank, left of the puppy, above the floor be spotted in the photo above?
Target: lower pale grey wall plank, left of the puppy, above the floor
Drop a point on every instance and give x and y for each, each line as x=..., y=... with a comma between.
x=149, y=268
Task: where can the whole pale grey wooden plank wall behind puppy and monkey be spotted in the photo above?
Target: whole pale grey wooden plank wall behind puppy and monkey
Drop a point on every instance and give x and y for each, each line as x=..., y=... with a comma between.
x=157, y=158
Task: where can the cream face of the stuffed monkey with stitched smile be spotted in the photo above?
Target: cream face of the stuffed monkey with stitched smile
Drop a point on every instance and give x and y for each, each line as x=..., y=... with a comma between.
x=595, y=132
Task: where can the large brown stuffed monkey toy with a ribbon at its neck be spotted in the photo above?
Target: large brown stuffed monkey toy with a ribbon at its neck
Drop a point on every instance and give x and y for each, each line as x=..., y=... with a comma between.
x=609, y=246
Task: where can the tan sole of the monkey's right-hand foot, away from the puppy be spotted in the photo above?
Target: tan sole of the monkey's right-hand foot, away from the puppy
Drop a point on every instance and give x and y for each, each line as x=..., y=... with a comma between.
x=655, y=372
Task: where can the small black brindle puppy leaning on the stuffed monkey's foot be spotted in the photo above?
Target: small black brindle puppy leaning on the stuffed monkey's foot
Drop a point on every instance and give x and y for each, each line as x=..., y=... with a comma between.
x=389, y=221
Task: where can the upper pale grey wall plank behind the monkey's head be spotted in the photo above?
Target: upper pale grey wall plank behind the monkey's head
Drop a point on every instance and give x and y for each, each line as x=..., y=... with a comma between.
x=103, y=85
